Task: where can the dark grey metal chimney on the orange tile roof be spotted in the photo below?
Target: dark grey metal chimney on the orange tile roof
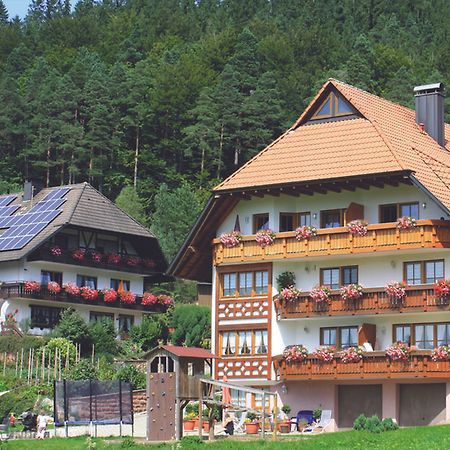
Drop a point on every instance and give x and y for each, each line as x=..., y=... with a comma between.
x=430, y=110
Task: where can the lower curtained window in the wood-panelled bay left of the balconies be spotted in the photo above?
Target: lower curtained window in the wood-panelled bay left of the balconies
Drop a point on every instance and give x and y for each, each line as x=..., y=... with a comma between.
x=244, y=342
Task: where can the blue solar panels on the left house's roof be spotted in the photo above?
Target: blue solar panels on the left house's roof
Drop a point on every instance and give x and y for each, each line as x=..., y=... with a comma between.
x=23, y=228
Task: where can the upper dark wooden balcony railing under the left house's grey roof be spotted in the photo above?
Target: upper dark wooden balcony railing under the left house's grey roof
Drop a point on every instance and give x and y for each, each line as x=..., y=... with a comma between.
x=126, y=263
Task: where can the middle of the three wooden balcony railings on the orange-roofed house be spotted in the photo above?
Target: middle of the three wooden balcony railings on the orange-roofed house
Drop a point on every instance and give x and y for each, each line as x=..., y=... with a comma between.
x=373, y=301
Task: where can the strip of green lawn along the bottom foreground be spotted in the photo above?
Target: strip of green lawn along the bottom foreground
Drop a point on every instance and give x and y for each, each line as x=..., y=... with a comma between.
x=420, y=438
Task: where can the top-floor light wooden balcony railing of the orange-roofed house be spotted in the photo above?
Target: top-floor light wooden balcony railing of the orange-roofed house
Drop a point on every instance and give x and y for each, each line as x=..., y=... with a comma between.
x=338, y=241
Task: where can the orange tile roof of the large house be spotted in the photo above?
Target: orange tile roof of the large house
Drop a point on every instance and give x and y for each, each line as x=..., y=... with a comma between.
x=386, y=139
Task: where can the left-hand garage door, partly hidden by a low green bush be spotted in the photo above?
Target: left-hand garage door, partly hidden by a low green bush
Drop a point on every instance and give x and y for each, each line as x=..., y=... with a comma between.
x=356, y=400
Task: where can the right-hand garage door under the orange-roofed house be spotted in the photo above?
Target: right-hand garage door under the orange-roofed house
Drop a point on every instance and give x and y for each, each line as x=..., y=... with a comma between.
x=422, y=404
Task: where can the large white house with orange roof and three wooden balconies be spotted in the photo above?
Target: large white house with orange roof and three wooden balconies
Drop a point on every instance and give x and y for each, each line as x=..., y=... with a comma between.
x=351, y=155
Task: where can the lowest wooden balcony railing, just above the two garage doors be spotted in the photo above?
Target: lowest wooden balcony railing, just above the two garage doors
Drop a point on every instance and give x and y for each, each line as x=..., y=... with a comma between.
x=374, y=365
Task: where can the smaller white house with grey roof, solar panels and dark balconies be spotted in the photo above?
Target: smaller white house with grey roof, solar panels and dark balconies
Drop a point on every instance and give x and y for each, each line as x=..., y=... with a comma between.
x=62, y=247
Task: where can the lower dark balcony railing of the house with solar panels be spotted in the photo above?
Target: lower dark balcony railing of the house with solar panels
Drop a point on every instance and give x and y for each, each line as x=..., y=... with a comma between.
x=17, y=290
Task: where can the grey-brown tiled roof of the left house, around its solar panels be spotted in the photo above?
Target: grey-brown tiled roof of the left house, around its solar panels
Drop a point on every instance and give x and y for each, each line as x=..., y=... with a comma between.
x=84, y=207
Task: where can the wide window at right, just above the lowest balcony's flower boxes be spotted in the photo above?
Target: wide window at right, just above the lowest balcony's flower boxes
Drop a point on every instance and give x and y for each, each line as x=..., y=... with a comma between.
x=423, y=335
